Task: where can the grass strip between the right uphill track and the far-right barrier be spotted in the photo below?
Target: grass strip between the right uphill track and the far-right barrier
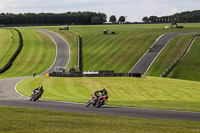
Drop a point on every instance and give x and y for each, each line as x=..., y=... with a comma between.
x=171, y=52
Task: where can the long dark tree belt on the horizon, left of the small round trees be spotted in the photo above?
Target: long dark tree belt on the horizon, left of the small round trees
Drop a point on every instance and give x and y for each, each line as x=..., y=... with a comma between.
x=53, y=18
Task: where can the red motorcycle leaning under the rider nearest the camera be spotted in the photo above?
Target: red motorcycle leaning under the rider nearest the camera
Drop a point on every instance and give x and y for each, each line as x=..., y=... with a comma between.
x=101, y=100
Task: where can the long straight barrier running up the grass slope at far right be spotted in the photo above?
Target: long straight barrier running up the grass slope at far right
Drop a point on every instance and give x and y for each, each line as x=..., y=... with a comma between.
x=169, y=69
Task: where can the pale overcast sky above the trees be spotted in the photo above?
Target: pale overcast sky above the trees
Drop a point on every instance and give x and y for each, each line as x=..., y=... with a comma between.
x=135, y=10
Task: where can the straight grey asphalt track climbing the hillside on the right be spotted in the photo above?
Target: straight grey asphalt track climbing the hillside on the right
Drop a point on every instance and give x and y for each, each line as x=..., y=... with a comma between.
x=146, y=61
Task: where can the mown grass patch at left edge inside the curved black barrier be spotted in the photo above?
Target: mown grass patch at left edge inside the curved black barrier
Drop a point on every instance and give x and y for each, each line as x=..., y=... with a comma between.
x=9, y=43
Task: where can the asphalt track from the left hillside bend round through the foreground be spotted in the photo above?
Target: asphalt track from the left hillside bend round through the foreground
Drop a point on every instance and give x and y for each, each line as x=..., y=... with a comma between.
x=9, y=97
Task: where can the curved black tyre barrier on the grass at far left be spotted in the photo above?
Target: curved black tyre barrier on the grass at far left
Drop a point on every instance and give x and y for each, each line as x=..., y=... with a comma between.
x=12, y=59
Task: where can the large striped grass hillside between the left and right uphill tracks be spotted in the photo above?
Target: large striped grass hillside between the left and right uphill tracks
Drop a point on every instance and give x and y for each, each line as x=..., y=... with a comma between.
x=117, y=52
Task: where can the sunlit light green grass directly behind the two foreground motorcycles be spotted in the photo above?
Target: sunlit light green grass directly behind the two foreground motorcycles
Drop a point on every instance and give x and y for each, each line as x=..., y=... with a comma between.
x=147, y=92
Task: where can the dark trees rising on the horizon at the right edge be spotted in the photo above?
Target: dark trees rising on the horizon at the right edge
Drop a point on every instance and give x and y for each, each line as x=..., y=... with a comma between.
x=183, y=17
